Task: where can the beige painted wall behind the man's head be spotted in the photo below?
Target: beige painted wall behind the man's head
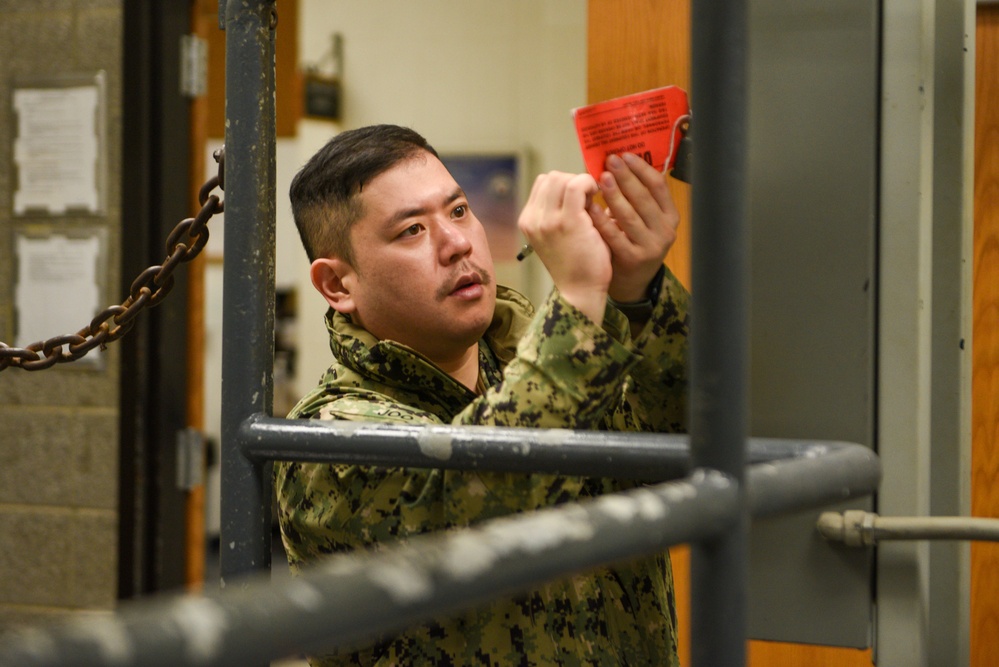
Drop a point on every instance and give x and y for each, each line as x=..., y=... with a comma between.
x=474, y=75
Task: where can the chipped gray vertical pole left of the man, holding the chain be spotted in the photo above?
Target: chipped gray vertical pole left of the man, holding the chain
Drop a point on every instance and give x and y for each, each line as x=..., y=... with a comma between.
x=248, y=298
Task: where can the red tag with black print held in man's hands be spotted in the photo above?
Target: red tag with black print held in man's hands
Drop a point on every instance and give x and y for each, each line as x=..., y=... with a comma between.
x=642, y=123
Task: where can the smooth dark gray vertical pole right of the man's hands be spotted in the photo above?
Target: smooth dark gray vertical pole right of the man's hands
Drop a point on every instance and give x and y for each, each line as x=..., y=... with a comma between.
x=719, y=346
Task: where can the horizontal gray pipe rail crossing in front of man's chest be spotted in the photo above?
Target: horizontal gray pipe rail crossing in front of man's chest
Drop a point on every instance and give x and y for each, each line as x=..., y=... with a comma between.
x=637, y=456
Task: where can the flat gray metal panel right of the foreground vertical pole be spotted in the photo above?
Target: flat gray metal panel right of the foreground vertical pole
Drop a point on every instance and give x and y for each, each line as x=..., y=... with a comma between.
x=814, y=109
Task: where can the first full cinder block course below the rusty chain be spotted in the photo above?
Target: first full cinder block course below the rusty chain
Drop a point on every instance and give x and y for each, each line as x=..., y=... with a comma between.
x=64, y=457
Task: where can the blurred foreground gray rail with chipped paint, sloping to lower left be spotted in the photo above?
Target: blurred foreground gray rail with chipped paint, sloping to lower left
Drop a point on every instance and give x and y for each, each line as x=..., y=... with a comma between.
x=356, y=597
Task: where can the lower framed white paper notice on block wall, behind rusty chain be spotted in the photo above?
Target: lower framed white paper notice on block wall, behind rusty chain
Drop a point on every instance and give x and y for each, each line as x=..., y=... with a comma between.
x=58, y=288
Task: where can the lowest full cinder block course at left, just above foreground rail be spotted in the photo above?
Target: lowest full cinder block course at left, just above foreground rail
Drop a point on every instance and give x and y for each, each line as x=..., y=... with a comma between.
x=58, y=558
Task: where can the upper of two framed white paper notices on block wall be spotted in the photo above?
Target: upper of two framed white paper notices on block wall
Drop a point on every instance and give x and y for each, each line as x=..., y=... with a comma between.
x=57, y=150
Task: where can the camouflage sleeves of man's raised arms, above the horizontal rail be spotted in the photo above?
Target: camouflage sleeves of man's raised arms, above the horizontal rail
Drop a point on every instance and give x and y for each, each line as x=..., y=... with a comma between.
x=570, y=373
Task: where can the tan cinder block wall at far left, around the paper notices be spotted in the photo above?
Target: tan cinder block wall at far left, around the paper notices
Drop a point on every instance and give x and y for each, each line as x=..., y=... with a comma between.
x=58, y=427
